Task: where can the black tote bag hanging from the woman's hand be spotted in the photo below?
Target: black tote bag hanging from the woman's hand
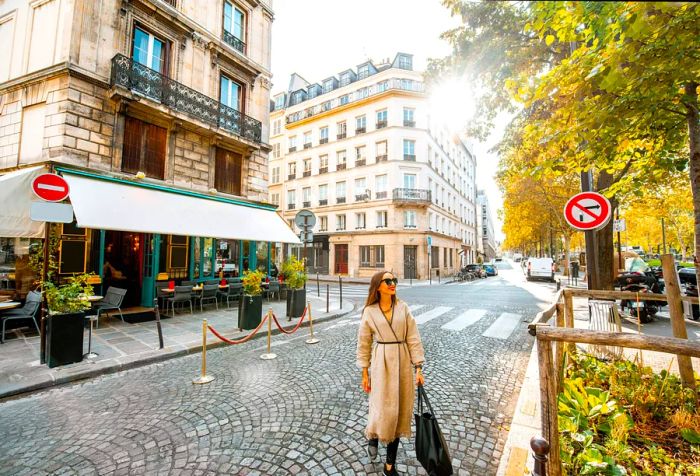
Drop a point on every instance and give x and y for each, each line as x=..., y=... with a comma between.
x=431, y=449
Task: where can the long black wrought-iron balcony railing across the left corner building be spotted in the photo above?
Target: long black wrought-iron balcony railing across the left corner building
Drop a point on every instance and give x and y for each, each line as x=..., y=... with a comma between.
x=139, y=79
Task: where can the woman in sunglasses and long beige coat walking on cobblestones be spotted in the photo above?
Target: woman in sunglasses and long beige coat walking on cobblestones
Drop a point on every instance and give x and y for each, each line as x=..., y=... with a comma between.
x=387, y=373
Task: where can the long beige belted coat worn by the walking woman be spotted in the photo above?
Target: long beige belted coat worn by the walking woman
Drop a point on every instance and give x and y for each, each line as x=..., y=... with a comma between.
x=392, y=380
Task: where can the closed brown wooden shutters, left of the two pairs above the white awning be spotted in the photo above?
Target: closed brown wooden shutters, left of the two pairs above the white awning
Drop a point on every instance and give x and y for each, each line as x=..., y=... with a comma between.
x=144, y=148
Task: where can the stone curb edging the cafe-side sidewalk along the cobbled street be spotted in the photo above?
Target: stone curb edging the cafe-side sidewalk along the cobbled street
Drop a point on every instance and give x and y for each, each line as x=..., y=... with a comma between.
x=153, y=356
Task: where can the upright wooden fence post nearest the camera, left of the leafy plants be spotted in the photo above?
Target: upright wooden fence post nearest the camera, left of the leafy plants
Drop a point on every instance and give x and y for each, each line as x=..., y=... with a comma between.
x=548, y=402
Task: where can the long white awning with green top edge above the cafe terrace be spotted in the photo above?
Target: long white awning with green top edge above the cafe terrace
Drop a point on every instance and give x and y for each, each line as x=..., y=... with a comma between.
x=112, y=204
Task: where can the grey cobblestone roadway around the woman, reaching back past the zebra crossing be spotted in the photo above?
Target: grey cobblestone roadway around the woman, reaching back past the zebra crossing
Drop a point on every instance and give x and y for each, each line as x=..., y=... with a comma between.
x=302, y=413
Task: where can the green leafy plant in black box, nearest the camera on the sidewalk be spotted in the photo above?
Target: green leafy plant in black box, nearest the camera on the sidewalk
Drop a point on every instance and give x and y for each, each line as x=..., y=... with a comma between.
x=64, y=326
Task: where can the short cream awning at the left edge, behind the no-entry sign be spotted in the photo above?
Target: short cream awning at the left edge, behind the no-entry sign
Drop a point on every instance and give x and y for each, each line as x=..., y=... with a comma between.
x=16, y=197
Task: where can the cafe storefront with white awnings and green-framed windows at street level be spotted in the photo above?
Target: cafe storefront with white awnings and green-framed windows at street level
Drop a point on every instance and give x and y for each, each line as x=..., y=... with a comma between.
x=133, y=234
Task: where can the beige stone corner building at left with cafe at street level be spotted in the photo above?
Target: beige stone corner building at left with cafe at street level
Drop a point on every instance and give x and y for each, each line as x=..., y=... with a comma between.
x=166, y=95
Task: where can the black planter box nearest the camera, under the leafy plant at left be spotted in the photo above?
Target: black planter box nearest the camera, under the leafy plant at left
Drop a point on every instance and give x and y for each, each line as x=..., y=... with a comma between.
x=64, y=339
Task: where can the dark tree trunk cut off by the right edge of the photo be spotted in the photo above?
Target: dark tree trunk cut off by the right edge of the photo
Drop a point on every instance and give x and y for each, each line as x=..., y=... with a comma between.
x=691, y=103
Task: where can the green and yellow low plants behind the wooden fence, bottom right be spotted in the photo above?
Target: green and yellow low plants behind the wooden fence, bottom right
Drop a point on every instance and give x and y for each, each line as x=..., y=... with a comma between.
x=619, y=418
